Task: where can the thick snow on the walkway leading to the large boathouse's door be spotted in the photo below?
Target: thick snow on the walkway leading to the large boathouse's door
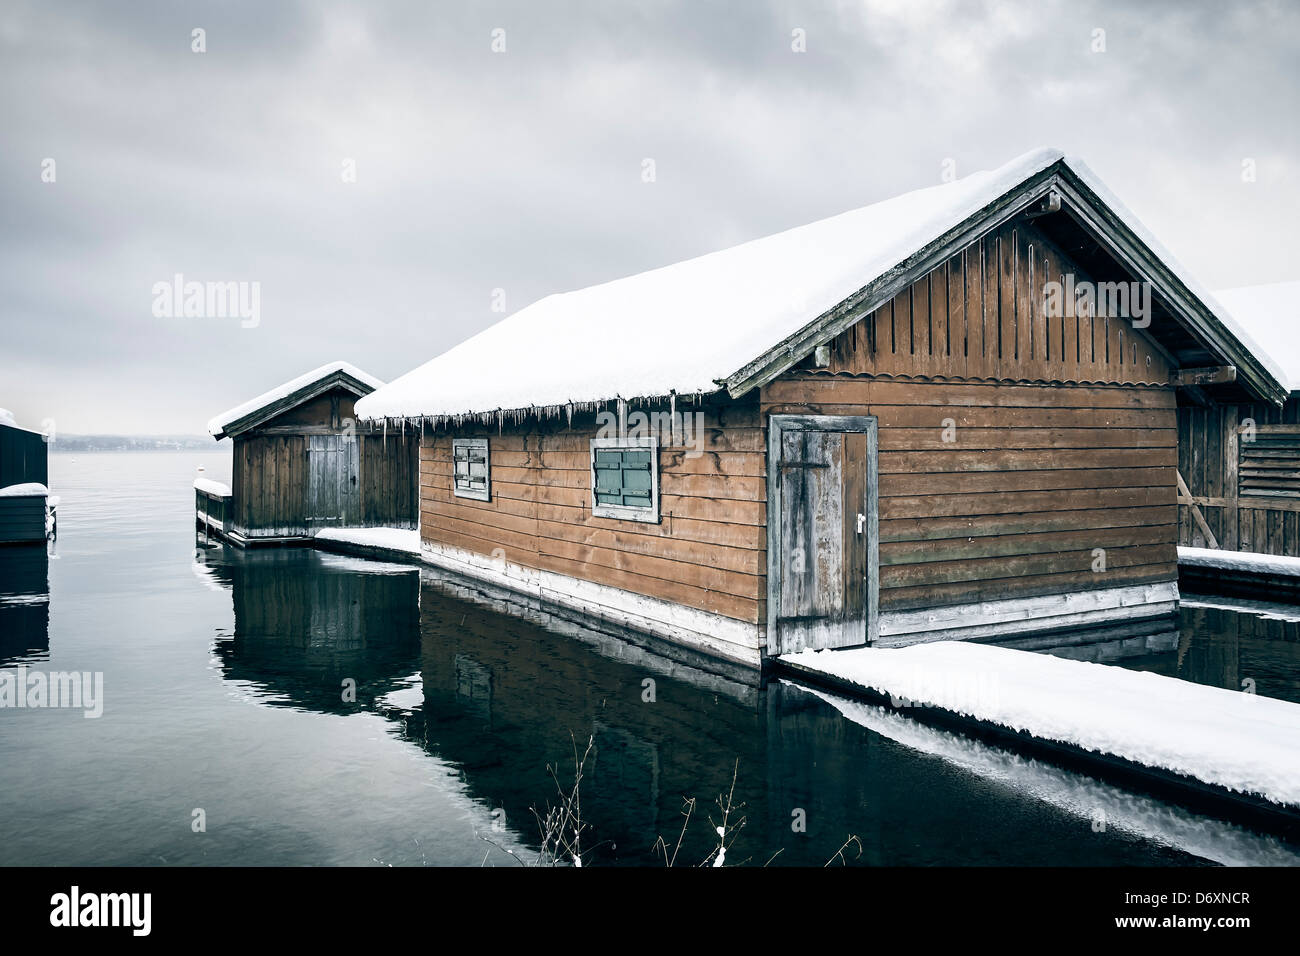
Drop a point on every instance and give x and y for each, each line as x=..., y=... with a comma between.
x=1237, y=741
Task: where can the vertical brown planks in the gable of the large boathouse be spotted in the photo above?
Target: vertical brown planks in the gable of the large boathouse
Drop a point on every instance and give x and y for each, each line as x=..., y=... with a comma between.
x=981, y=317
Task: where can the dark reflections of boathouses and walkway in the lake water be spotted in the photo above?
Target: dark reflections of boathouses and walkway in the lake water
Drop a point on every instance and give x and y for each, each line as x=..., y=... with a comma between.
x=505, y=698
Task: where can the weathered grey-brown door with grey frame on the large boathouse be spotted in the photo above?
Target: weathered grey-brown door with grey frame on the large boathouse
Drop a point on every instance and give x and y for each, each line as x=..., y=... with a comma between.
x=822, y=533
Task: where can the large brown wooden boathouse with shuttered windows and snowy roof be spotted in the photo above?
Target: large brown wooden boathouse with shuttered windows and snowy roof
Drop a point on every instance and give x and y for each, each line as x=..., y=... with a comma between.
x=952, y=414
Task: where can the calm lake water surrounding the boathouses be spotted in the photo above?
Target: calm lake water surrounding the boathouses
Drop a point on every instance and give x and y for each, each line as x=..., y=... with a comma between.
x=224, y=677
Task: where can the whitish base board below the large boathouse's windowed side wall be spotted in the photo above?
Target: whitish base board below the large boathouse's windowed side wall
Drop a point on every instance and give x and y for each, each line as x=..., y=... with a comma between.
x=712, y=634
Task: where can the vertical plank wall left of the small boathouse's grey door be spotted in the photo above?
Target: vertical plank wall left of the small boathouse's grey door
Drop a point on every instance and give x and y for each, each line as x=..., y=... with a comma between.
x=270, y=486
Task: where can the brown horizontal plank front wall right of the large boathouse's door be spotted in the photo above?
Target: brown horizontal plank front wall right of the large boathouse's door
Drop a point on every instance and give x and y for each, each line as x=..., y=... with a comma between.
x=1034, y=481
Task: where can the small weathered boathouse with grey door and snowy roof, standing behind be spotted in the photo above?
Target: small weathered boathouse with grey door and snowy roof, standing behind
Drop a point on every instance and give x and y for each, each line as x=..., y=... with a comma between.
x=301, y=464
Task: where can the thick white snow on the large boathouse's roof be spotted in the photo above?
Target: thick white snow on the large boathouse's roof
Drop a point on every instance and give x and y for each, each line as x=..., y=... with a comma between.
x=690, y=327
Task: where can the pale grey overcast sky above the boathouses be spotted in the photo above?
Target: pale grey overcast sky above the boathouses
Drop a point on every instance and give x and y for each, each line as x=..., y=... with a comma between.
x=522, y=171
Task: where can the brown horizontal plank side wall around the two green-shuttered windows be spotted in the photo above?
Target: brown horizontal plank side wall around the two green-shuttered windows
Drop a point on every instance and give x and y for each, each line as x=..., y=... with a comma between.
x=708, y=552
